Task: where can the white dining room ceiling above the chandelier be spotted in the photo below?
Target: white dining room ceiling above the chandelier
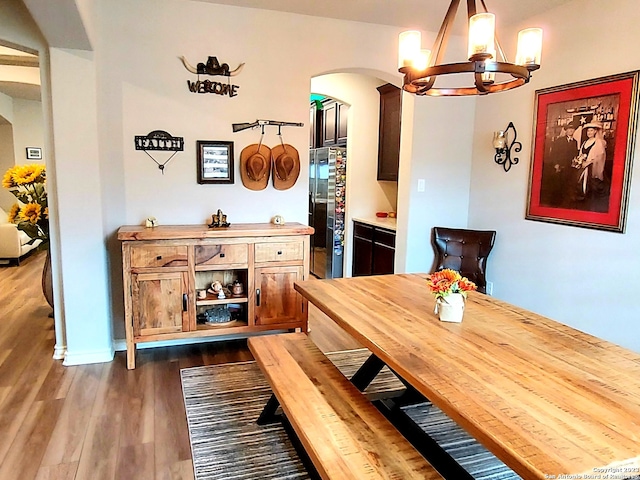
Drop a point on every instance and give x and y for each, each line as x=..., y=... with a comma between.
x=420, y=14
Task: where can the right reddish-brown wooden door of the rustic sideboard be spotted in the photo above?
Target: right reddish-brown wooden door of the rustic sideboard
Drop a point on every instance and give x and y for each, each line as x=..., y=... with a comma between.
x=276, y=299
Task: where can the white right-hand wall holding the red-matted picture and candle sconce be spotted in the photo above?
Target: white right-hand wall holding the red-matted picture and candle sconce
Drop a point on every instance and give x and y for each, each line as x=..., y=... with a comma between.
x=585, y=278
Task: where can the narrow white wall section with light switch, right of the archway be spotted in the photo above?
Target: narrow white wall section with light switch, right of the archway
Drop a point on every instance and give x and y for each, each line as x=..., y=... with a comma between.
x=436, y=146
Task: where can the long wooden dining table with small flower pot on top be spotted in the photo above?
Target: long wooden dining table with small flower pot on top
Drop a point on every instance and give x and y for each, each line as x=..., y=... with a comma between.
x=548, y=400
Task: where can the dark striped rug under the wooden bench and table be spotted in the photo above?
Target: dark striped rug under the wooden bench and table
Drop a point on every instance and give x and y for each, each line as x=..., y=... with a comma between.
x=223, y=403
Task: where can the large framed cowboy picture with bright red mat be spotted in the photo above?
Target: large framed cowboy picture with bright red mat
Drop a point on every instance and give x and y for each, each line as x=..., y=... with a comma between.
x=583, y=143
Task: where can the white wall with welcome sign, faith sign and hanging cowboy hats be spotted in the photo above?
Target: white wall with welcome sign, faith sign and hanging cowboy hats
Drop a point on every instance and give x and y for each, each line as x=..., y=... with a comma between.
x=142, y=86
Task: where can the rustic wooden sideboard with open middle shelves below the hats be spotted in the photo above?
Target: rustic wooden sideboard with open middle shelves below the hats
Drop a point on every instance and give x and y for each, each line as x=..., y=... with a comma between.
x=164, y=267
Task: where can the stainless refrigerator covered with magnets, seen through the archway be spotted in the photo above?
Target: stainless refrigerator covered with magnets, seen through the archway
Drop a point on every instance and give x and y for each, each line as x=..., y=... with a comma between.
x=327, y=180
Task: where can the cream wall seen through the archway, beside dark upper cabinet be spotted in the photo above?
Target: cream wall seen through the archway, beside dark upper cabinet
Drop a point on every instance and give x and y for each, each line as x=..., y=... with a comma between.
x=365, y=195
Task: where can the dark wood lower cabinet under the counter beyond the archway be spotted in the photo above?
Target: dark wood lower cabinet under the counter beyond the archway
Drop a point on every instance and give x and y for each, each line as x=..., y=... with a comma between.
x=373, y=250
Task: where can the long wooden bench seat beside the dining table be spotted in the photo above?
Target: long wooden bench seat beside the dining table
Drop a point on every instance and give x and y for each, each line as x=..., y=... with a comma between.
x=344, y=434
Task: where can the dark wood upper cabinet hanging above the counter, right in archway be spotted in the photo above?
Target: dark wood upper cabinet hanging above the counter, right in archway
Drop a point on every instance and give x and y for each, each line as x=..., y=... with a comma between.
x=389, y=138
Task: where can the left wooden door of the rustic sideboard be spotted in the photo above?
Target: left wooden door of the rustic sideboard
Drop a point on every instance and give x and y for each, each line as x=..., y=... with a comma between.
x=160, y=303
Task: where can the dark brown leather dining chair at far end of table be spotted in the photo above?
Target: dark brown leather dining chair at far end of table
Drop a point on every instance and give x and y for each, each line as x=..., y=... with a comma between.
x=465, y=251
